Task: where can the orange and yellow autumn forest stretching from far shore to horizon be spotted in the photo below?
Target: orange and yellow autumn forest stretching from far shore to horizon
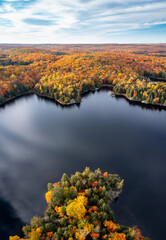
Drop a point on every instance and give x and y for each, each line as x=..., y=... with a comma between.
x=64, y=72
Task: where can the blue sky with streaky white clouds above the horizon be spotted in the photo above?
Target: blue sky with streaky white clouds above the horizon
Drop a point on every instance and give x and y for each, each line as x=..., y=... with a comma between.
x=82, y=21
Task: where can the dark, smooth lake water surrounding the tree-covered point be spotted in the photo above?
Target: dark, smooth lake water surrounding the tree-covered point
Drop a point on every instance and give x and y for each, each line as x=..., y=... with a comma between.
x=40, y=140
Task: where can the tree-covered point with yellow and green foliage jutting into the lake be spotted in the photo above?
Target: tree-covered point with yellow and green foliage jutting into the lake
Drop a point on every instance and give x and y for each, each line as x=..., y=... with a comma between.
x=79, y=208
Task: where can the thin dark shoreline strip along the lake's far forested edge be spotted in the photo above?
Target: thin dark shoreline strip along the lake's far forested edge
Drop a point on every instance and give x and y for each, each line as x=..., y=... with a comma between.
x=73, y=102
